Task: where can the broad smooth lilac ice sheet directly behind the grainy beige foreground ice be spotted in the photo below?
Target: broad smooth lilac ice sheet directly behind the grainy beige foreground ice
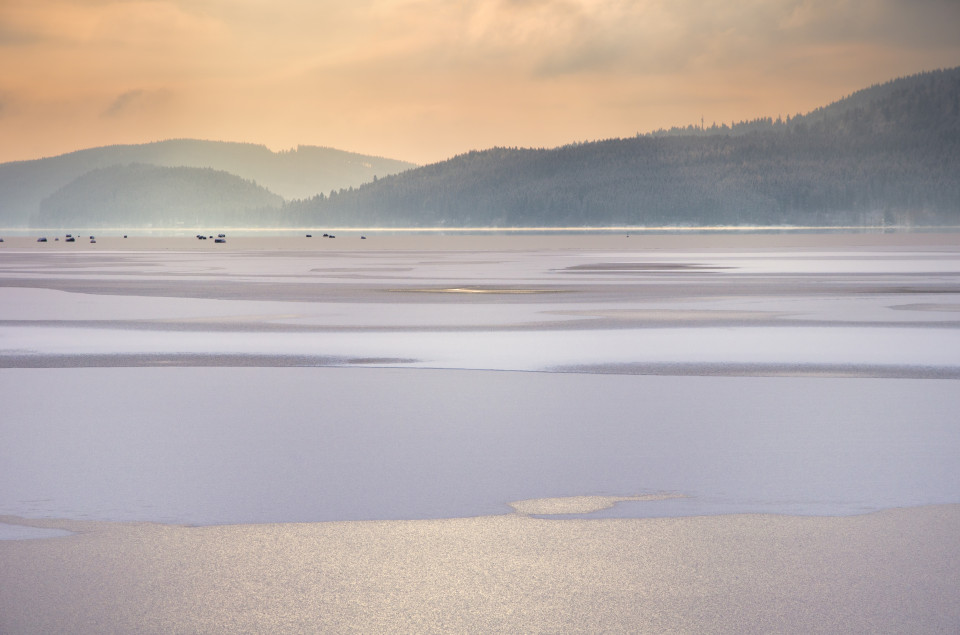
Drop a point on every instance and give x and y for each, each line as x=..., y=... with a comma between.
x=230, y=445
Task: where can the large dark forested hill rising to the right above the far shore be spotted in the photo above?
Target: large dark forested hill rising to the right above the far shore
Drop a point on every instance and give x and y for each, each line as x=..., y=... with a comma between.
x=887, y=154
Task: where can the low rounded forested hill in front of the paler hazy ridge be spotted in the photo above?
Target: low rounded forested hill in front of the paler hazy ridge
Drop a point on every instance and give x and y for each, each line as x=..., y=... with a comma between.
x=139, y=195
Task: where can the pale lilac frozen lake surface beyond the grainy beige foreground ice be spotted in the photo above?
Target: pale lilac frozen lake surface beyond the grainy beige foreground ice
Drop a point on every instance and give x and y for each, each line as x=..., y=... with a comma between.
x=441, y=377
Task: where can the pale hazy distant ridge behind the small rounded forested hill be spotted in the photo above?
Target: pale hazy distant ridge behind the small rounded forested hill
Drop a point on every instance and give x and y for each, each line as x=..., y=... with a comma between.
x=297, y=173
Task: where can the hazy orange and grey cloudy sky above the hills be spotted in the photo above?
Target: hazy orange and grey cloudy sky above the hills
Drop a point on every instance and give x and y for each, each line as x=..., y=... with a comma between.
x=423, y=80
